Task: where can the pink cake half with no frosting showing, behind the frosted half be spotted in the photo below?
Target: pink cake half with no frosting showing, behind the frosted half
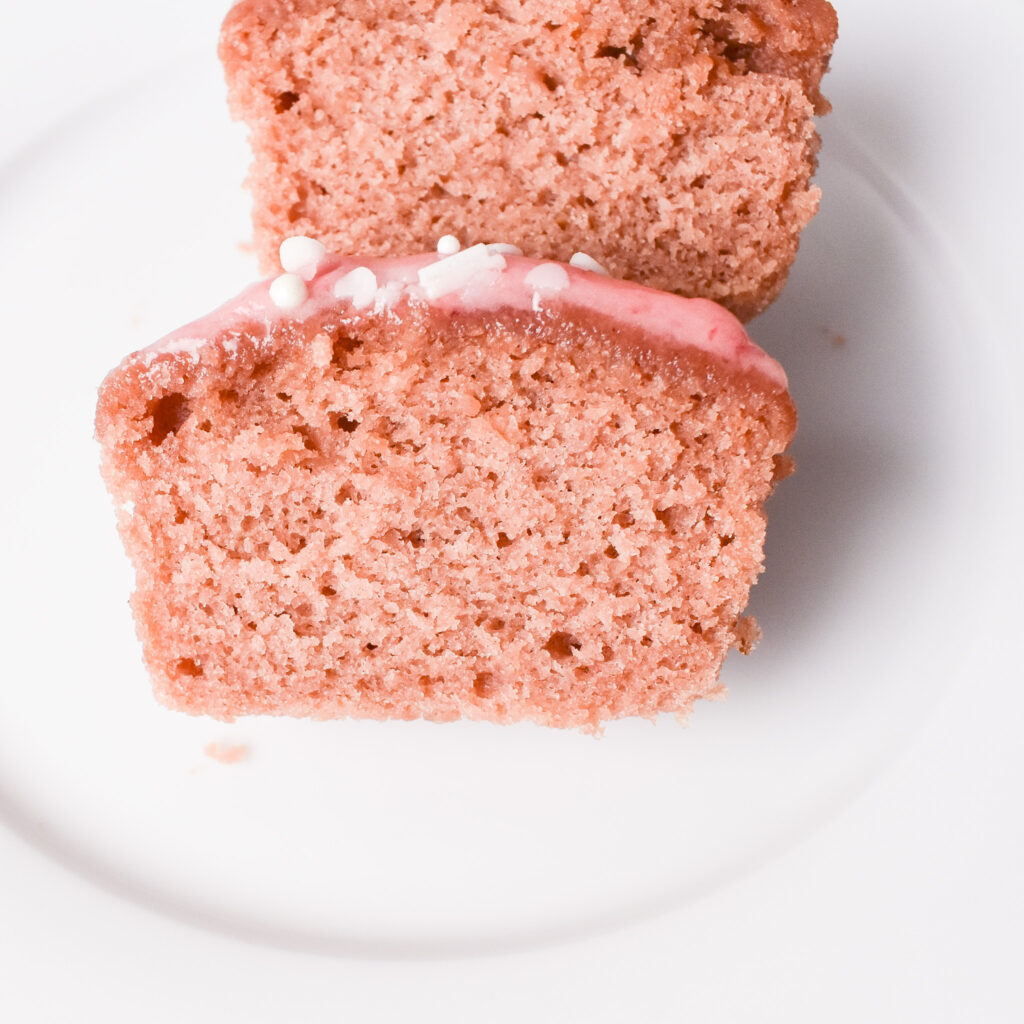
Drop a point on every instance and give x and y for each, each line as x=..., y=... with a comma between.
x=673, y=142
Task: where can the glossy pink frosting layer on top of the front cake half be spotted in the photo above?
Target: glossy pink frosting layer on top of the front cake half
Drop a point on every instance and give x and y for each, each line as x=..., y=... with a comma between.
x=675, y=323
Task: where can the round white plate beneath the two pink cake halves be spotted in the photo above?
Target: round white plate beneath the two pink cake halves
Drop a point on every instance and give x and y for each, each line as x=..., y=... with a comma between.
x=889, y=564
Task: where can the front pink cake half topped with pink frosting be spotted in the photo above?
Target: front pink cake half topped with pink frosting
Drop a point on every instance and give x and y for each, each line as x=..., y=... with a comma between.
x=461, y=508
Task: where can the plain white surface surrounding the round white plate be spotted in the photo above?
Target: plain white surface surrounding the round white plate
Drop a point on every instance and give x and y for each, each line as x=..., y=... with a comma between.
x=906, y=905
